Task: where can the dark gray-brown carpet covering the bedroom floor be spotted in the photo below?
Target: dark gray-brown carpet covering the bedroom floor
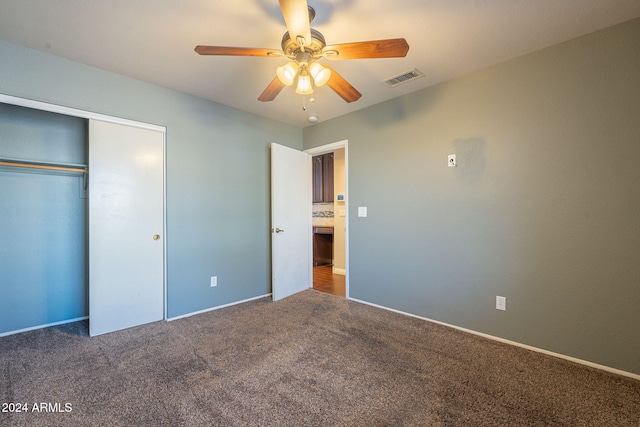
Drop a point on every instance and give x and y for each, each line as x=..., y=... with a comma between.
x=312, y=359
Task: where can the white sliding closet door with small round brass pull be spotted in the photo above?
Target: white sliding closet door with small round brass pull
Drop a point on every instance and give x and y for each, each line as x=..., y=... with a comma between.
x=126, y=226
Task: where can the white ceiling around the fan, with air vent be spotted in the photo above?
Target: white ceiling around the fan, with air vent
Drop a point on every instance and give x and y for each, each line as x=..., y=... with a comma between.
x=153, y=40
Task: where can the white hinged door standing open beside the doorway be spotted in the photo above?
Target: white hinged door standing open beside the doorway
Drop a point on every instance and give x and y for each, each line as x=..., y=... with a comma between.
x=290, y=221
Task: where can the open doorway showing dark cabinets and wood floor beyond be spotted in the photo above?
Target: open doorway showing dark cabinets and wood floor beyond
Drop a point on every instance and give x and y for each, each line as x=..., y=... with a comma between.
x=330, y=218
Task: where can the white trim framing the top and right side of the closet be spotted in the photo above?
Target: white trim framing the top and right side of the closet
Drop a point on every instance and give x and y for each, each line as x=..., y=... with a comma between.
x=84, y=114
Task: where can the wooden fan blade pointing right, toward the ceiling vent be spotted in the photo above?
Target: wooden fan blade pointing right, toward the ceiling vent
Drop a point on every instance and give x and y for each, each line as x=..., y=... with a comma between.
x=389, y=48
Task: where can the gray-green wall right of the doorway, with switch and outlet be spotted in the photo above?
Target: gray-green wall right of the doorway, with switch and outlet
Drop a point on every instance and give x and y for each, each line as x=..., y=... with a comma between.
x=543, y=208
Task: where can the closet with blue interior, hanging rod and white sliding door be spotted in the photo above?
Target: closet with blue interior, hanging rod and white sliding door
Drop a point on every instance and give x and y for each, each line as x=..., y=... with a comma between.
x=55, y=264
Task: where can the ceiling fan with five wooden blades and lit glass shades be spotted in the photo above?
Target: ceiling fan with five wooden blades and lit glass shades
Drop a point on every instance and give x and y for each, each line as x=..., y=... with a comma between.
x=304, y=46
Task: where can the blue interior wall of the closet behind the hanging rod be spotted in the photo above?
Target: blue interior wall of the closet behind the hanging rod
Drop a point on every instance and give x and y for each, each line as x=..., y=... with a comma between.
x=43, y=220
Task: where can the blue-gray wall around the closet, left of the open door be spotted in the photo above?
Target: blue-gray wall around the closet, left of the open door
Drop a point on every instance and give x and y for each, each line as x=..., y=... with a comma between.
x=217, y=176
